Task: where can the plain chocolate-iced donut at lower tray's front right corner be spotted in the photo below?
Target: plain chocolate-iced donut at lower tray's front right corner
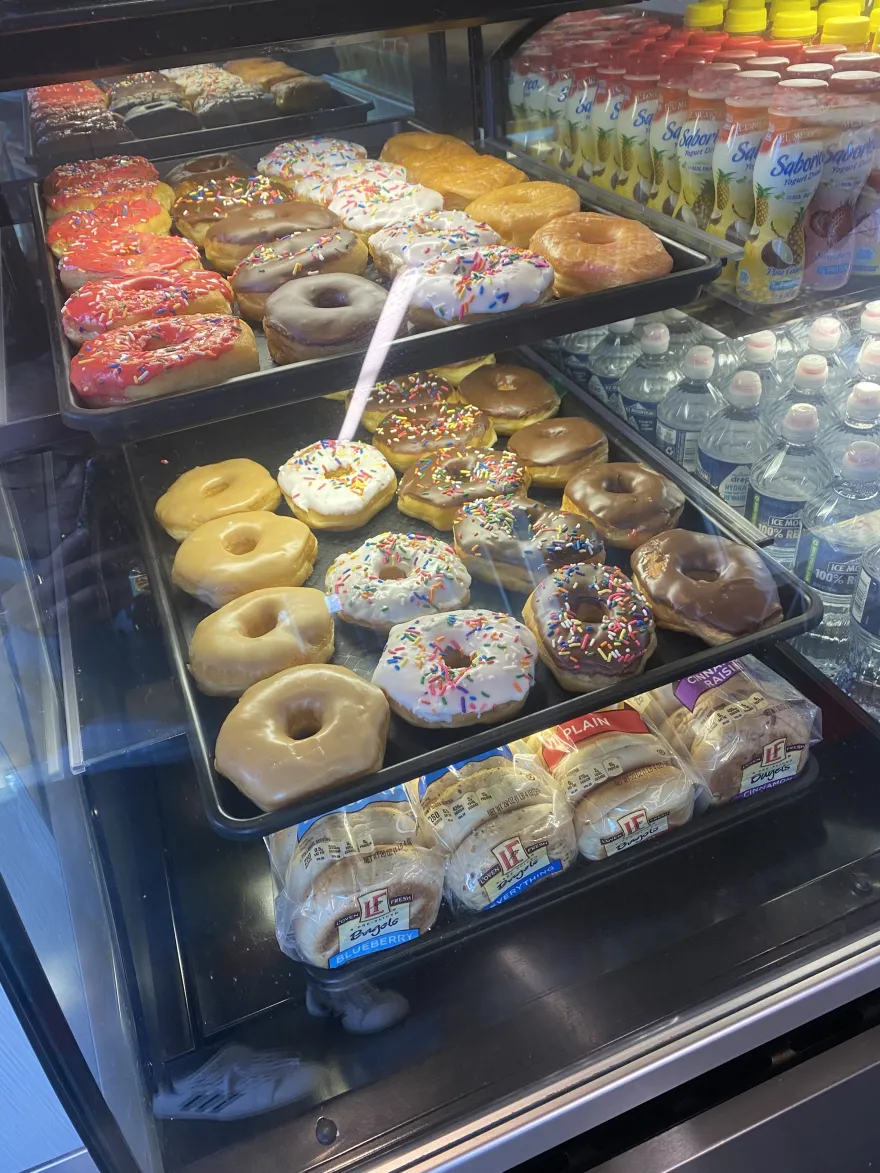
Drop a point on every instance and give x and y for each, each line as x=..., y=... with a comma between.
x=706, y=586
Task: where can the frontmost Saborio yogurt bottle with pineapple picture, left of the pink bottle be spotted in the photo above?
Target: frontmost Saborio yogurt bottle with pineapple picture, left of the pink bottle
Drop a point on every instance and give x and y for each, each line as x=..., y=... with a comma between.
x=787, y=175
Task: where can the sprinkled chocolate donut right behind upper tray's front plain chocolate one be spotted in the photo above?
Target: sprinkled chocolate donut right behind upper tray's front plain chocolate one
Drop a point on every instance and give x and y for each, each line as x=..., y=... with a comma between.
x=267, y=268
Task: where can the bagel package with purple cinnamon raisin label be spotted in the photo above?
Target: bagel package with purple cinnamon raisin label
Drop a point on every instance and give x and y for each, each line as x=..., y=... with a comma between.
x=741, y=727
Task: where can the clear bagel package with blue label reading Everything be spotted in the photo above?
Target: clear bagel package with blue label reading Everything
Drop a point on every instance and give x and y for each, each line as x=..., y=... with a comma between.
x=502, y=822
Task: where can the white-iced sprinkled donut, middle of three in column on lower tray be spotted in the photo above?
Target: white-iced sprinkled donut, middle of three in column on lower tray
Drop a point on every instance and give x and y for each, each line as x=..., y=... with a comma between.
x=397, y=578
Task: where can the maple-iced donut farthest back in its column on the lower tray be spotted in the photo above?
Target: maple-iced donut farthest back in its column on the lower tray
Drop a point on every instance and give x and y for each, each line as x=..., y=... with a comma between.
x=215, y=491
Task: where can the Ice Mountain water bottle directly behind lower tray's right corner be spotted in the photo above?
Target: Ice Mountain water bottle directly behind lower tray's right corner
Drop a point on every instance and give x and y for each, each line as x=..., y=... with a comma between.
x=790, y=473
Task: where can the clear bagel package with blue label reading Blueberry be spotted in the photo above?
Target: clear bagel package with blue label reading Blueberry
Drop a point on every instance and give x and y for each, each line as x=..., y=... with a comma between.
x=356, y=882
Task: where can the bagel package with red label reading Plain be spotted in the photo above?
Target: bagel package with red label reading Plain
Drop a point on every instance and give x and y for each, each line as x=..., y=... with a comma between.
x=624, y=782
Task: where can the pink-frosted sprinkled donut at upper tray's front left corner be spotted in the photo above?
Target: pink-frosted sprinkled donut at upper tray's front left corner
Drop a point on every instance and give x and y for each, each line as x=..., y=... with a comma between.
x=161, y=357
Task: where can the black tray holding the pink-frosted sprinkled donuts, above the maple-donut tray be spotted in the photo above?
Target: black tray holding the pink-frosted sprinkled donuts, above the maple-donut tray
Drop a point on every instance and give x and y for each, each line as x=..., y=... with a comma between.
x=277, y=385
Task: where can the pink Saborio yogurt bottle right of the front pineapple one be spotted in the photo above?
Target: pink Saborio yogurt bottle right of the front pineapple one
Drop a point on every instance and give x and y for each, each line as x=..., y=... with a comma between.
x=830, y=241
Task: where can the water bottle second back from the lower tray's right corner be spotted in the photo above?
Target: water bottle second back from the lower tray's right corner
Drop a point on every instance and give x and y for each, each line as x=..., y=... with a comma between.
x=729, y=444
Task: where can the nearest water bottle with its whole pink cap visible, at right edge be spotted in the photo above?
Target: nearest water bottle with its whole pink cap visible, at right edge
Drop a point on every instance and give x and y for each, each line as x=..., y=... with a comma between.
x=831, y=547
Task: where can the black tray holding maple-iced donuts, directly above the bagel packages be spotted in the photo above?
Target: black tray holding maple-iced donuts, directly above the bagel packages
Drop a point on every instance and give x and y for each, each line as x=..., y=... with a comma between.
x=270, y=440
